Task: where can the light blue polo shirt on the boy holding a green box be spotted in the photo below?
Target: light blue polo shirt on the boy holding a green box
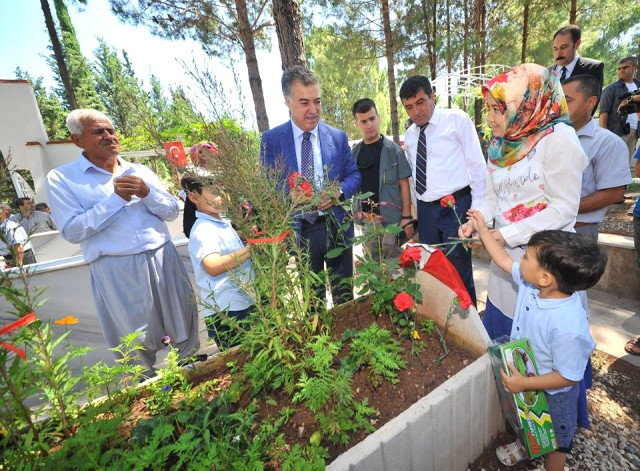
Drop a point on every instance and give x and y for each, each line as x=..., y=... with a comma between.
x=558, y=330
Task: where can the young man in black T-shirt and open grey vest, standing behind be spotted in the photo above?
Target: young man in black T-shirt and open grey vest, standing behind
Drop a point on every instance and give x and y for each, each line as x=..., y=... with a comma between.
x=385, y=173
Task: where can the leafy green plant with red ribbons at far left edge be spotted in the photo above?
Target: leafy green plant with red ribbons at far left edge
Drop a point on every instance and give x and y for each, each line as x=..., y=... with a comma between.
x=33, y=372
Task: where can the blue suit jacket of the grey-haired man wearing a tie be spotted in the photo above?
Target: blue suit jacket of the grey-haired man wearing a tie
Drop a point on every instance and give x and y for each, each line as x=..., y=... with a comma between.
x=277, y=143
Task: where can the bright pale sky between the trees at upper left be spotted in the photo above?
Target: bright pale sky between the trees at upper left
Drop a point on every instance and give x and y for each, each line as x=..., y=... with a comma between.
x=25, y=45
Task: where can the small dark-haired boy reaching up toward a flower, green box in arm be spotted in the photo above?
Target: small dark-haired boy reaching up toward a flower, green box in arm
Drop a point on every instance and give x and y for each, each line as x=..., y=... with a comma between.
x=550, y=314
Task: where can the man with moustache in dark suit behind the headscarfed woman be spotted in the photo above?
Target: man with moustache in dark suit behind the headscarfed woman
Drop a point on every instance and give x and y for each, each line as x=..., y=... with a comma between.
x=569, y=63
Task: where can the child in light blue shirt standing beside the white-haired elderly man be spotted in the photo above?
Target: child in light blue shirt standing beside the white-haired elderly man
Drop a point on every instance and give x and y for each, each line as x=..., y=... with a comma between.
x=221, y=262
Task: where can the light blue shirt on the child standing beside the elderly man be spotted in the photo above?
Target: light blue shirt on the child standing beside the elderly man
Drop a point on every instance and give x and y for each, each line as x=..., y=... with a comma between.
x=225, y=291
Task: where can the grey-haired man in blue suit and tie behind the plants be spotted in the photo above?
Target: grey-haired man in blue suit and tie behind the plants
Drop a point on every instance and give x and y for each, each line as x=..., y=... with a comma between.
x=322, y=155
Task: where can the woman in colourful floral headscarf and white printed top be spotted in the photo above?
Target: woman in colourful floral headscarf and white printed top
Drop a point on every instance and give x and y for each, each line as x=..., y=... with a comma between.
x=534, y=173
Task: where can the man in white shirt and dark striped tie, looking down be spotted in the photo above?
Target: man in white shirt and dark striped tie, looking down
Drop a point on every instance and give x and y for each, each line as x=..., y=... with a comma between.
x=443, y=149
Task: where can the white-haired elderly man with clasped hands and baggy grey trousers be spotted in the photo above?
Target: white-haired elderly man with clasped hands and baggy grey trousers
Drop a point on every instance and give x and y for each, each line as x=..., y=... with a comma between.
x=116, y=211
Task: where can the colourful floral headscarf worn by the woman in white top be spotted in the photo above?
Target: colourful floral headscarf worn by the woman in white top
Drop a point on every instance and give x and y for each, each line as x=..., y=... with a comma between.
x=533, y=102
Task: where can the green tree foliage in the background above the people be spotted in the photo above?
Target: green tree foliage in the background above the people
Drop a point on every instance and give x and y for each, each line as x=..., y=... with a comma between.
x=345, y=48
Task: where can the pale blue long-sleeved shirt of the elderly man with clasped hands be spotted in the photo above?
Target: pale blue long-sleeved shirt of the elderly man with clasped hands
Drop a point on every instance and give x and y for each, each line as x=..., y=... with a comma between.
x=89, y=212
